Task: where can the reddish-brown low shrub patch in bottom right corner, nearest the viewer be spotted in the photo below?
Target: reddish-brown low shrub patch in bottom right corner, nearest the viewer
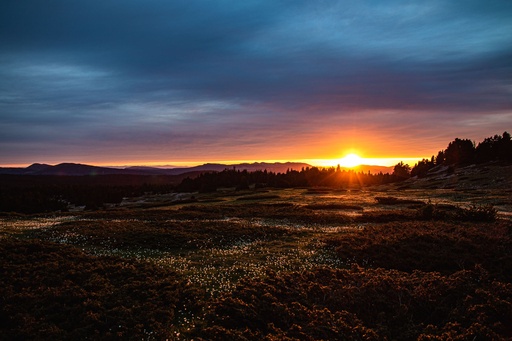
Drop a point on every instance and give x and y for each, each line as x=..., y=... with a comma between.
x=362, y=304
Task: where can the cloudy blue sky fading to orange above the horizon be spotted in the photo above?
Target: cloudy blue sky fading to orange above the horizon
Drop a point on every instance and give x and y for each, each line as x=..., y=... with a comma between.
x=112, y=82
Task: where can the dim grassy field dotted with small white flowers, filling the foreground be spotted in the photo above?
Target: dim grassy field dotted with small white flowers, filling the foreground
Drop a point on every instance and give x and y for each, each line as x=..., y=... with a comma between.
x=305, y=264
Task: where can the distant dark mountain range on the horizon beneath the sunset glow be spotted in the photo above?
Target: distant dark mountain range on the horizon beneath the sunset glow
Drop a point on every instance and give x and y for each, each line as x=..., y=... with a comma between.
x=76, y=169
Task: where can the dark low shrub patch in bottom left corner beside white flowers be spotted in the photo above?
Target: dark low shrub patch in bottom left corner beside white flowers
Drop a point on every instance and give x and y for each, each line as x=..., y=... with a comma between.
x=56, y=292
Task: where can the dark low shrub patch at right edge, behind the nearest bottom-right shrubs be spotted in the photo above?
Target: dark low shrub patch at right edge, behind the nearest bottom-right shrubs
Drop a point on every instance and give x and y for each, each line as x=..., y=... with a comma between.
x=429, y=246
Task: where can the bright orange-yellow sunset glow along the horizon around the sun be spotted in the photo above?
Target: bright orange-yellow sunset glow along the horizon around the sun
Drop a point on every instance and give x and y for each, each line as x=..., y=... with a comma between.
x=325, y=148
